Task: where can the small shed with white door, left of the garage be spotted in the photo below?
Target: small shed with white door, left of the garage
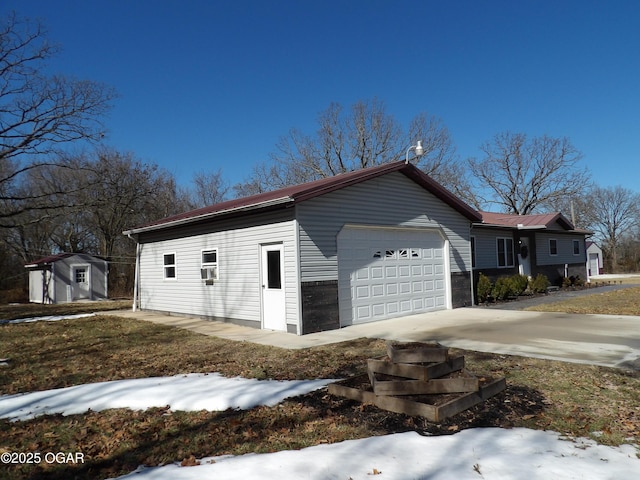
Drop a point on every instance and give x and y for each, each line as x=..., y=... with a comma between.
x=67, y=277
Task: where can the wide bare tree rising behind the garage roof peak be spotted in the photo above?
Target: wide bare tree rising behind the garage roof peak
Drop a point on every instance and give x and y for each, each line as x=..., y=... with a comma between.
x=347, y=140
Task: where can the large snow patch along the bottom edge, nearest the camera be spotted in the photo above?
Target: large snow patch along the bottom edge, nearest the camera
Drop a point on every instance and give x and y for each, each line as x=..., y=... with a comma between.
x=477, y=454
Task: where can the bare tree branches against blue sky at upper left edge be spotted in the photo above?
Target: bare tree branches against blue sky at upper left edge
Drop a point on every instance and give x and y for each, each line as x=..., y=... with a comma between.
x=39, y=113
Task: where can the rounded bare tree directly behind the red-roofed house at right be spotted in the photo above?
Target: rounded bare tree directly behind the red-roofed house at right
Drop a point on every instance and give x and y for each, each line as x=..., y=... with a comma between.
x=527, y=175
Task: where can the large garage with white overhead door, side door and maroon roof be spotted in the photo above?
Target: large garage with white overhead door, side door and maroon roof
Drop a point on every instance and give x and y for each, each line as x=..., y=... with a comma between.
x=362, y=246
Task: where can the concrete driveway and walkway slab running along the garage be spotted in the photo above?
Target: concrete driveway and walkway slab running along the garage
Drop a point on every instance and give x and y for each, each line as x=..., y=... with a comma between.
x=608, y=340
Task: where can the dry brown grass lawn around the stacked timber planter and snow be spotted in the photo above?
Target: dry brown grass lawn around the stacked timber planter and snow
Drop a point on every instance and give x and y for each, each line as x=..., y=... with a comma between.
x=570, y=398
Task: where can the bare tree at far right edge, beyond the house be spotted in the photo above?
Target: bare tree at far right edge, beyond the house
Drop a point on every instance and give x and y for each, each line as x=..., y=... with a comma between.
x=615, y=213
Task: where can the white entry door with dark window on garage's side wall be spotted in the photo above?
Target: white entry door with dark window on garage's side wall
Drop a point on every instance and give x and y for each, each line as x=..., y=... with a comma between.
x=272, y=284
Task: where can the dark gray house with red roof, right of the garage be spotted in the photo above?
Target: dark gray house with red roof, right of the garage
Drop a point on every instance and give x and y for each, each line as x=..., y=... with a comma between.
x=549, y=244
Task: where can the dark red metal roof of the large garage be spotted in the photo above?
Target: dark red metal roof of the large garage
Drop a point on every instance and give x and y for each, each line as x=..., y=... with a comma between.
x=305, y=191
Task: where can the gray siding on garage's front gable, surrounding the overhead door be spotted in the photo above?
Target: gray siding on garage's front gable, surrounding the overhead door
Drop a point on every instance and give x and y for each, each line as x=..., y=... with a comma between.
x=405, y=204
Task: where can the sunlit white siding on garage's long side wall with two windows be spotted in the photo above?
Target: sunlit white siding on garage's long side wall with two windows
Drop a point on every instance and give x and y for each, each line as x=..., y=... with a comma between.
x=237, y=293
